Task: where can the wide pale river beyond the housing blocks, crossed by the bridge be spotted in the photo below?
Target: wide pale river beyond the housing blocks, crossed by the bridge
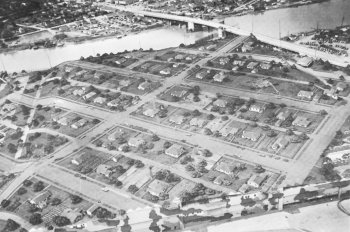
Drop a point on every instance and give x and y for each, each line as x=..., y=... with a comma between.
x=292, y=20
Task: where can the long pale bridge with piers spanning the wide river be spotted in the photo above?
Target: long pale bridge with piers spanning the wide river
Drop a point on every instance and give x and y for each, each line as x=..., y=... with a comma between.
x=334, y=59
